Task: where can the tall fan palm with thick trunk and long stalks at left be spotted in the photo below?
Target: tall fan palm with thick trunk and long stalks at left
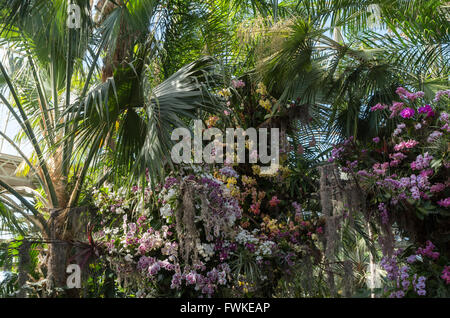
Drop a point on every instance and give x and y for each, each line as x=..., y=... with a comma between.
x=71, y=117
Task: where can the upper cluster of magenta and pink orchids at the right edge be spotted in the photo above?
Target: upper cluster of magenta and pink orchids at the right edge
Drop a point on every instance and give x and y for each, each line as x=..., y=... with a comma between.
x=409, y=170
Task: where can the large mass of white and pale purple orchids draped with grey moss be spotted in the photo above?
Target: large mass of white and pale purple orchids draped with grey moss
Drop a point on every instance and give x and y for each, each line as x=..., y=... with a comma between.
x=184, y=237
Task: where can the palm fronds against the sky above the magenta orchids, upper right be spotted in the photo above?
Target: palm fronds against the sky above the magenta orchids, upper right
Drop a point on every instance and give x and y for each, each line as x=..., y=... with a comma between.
x=331, y=57
